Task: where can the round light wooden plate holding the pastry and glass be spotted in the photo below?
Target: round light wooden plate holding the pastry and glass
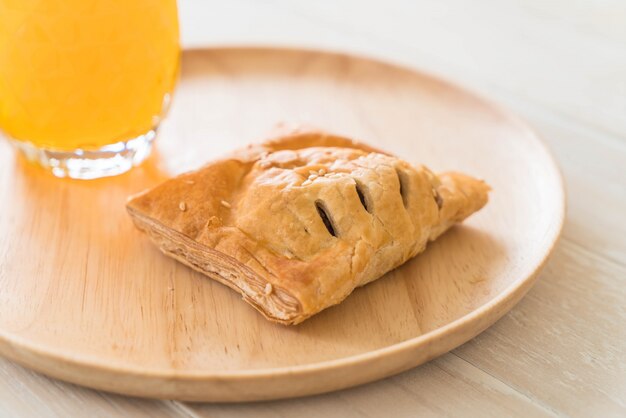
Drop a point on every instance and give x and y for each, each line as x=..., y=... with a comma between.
x=86, y=298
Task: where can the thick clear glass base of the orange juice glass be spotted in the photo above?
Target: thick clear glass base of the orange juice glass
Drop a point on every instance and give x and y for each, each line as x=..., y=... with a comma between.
x=109, y=160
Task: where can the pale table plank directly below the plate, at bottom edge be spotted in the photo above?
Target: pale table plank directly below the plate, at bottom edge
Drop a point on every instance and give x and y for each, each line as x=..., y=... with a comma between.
x=422, y=392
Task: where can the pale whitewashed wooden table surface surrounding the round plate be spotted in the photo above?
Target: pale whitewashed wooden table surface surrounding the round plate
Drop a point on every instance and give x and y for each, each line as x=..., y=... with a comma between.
x=561, y=65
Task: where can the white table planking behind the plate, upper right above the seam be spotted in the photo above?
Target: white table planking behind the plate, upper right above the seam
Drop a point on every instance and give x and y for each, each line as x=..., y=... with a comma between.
x=565, y=58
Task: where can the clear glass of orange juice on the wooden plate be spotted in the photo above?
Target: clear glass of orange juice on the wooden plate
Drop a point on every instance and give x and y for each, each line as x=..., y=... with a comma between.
x=84, y=83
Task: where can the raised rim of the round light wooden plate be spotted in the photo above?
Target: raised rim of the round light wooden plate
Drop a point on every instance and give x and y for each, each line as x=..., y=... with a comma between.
x=18, y=349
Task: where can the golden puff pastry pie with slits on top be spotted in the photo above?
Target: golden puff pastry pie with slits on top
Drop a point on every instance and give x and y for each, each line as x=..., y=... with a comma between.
x=296, y=223
